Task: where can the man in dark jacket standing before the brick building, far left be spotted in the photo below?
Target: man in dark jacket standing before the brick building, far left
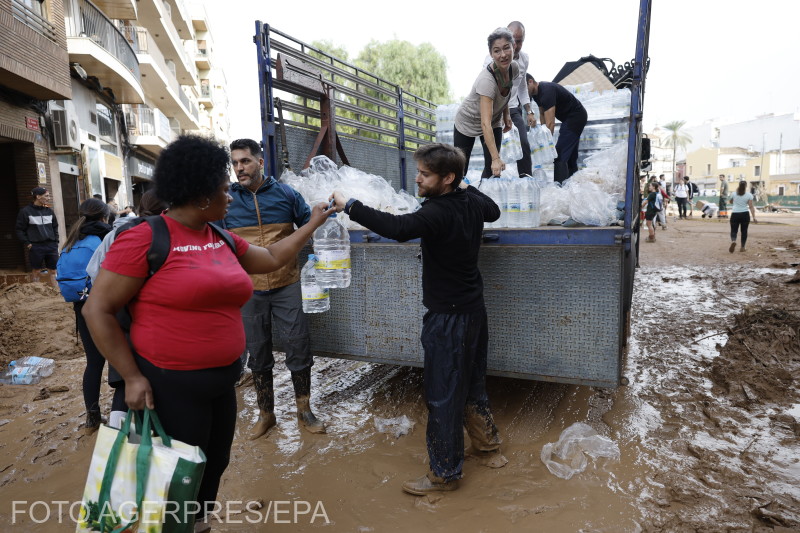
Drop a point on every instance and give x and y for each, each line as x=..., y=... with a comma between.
x=37, y=228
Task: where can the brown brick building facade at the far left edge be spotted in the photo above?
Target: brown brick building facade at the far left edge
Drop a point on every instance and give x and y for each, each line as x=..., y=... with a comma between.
x=34, y=68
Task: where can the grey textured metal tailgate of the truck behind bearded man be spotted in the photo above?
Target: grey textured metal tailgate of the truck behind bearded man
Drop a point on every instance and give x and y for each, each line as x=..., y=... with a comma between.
x=554, y=311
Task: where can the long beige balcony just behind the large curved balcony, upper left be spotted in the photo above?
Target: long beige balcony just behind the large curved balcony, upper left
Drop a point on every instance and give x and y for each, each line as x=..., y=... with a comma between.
x=159, y=81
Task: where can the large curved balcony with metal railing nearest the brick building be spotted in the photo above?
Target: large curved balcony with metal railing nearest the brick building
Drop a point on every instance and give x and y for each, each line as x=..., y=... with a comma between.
x=102, y=50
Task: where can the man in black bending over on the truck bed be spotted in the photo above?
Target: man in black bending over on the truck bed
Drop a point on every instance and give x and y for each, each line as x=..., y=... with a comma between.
x=555, y=102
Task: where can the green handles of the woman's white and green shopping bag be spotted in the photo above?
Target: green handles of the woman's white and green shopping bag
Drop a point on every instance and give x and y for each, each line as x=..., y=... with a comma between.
x=145, y=429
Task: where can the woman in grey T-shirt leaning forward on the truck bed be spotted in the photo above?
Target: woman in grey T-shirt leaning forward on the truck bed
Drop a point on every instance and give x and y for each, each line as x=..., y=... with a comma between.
x=484, y=112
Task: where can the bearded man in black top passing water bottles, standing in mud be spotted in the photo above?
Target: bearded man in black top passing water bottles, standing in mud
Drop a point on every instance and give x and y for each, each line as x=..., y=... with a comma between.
x=455, y=333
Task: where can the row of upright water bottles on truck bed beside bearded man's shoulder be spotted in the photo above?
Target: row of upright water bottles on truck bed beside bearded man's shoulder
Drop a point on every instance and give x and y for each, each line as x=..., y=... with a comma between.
x=517, y=198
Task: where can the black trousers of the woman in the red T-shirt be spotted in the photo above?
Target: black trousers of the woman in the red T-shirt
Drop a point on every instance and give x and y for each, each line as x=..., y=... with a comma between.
x=198, y=407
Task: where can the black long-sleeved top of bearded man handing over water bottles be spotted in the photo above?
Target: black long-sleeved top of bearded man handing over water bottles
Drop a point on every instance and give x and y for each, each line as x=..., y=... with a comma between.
x=451, y=229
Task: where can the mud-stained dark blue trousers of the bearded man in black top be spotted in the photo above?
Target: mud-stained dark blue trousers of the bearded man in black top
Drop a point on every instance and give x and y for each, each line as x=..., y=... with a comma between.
x=456, y=347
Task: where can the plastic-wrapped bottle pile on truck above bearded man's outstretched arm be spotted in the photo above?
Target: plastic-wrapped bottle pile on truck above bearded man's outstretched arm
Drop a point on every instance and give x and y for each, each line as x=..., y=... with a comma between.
x=317, y=182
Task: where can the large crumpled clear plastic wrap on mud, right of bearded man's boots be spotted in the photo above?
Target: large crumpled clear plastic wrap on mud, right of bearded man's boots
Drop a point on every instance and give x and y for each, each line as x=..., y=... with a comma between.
x=567, y=457
